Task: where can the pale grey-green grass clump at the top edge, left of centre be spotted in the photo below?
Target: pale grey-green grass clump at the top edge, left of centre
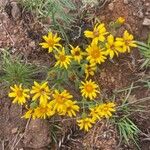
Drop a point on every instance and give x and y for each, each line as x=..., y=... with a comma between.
x=55, y=10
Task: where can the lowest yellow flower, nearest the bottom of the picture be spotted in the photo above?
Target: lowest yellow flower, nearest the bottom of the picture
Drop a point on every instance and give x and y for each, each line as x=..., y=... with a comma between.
x=85, y=123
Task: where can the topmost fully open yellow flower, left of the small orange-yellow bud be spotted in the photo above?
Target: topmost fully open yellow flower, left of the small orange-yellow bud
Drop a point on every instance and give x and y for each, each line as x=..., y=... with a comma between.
x=98, y=33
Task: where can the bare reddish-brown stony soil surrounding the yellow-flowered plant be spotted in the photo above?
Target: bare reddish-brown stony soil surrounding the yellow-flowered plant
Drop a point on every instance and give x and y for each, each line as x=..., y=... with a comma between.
x=22, y=36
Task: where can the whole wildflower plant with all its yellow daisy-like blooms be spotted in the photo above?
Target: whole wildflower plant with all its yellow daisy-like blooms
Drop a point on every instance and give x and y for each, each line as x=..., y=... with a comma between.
x=74, y=66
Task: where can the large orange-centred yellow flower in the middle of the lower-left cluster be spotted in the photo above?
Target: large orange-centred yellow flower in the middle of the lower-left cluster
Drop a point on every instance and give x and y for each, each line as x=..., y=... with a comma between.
x=60, y=100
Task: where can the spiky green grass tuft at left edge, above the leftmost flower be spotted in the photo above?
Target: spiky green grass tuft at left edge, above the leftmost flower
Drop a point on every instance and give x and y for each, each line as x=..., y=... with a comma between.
x=13, y=71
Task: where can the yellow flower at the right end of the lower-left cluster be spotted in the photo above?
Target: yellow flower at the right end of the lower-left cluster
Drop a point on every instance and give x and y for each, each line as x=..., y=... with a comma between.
x=70, y=108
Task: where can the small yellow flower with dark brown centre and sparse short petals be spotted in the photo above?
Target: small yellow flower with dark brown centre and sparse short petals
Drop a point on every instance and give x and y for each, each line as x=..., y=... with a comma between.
x=77, y=53
